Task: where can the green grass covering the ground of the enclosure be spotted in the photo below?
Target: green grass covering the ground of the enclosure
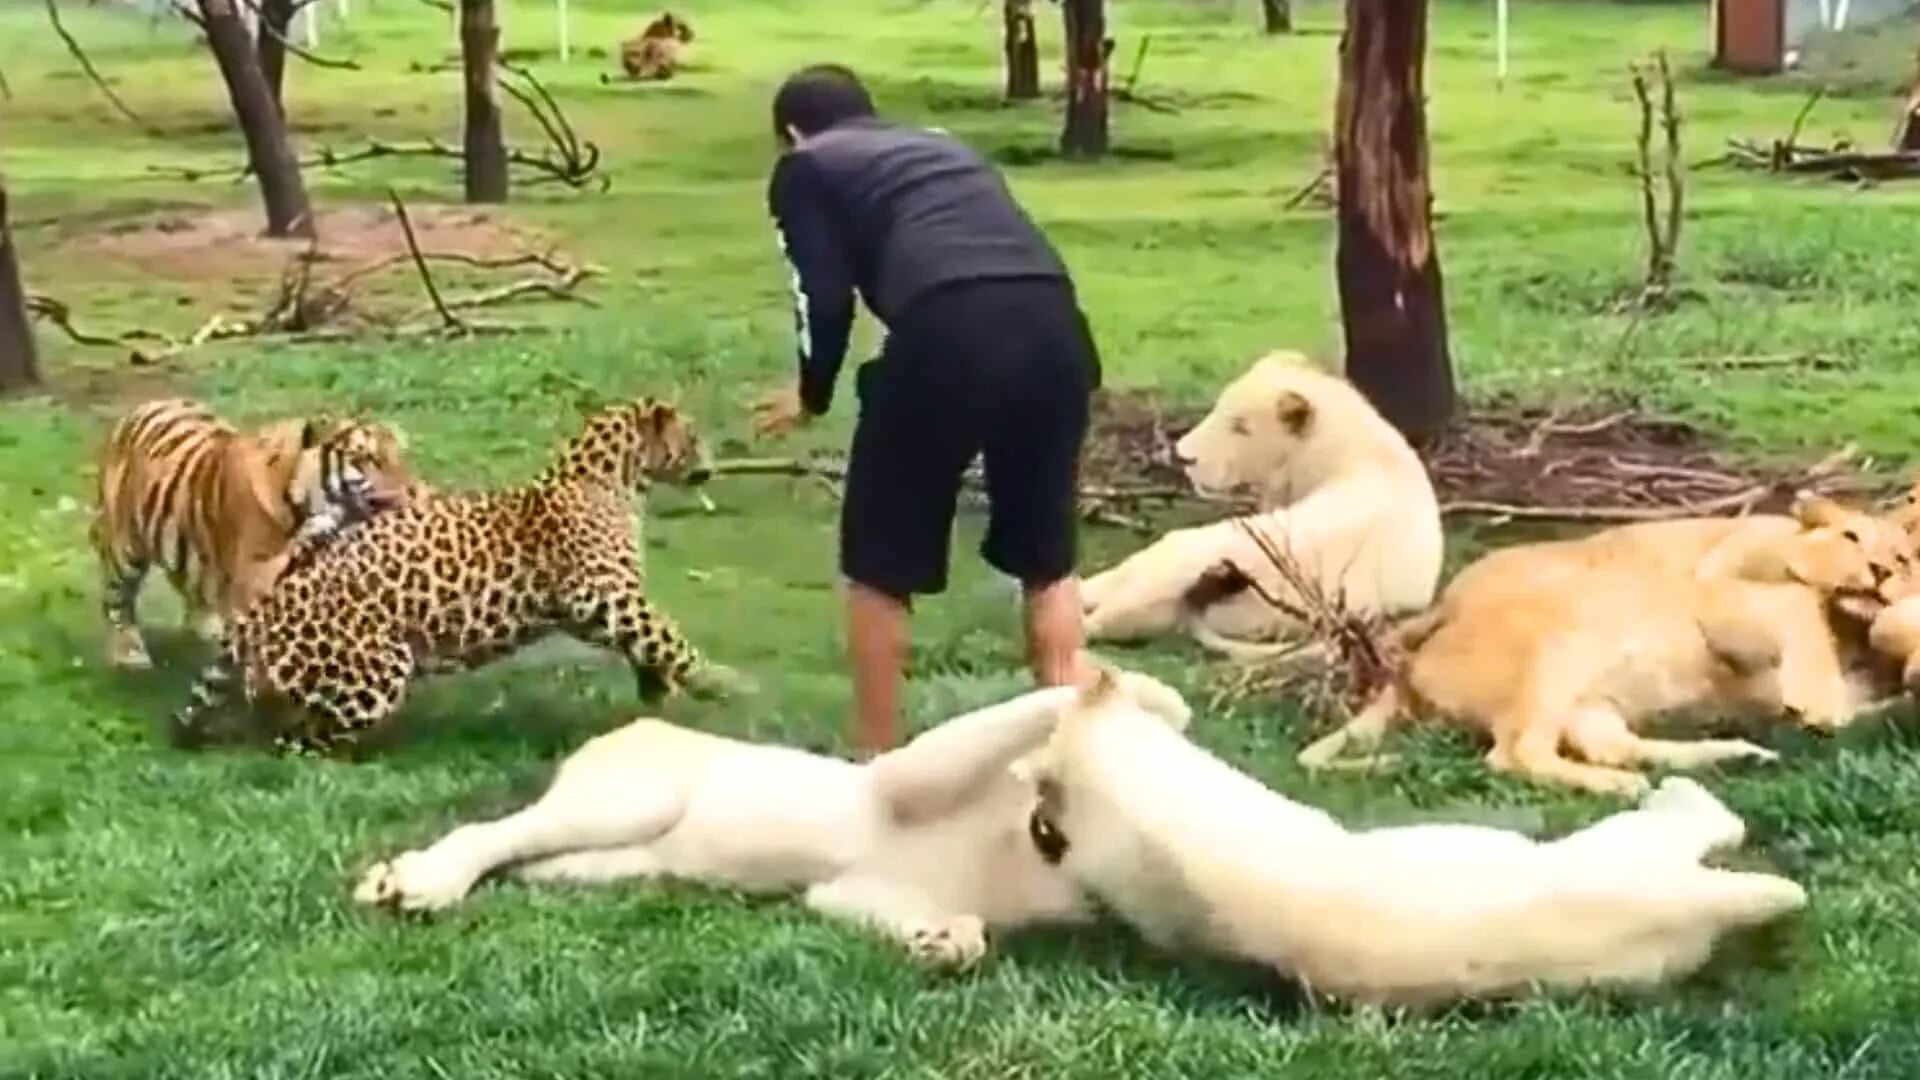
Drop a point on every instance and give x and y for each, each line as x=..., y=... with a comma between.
x=170, y=916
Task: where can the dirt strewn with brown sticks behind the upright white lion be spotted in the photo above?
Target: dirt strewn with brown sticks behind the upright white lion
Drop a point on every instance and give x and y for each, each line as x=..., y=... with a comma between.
x=1602, y=460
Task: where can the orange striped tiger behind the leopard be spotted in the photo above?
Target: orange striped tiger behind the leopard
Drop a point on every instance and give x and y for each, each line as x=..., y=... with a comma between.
x=218, y=508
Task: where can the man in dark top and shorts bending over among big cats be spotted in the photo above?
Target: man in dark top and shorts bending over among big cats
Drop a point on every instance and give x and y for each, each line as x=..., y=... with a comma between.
x=988, y=355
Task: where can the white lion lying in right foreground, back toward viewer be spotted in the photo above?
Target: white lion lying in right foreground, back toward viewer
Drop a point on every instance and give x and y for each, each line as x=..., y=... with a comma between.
x=1199, y=856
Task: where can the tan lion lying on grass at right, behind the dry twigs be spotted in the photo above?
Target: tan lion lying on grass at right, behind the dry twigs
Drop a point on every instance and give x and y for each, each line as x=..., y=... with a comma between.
x=1575, y=645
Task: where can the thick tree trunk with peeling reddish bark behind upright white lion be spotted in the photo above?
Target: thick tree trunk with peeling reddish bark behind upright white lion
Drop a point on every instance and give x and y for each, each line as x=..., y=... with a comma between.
x=1389, y=270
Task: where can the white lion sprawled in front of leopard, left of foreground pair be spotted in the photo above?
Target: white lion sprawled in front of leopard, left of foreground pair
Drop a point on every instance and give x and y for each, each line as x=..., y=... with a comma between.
x=926, y=845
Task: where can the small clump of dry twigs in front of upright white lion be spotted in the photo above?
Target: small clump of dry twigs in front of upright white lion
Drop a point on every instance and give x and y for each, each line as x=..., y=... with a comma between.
x=1343, y=658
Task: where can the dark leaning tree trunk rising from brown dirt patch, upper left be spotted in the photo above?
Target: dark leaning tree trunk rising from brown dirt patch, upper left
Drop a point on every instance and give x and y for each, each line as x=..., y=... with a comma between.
x=268, y=151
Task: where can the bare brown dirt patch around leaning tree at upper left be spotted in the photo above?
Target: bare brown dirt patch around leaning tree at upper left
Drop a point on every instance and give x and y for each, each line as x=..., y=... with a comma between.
x=228, y=245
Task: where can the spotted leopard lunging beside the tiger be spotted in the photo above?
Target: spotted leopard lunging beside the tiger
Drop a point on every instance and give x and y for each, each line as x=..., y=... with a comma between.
x=456, y=581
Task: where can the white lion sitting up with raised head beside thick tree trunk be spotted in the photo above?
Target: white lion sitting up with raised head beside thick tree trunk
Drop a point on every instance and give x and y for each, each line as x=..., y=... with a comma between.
x=1339, y=489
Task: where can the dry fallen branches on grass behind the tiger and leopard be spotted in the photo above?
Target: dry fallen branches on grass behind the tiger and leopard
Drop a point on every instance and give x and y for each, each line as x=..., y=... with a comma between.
x=310, y=310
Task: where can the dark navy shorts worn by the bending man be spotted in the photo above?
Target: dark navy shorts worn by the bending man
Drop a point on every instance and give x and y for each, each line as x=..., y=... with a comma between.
x=1001, y=370
